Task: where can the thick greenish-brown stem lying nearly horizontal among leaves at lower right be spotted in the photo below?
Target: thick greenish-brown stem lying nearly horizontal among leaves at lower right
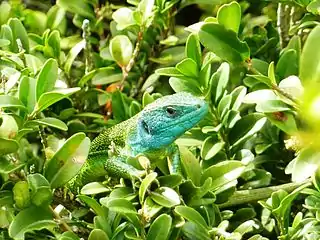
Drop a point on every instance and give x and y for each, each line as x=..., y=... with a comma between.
x=254, y=195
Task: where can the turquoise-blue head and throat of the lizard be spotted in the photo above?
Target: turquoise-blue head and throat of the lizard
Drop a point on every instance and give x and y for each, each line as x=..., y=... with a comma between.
x=160, y=123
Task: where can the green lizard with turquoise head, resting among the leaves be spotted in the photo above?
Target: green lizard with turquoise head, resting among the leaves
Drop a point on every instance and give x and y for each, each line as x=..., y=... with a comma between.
x=151, y=132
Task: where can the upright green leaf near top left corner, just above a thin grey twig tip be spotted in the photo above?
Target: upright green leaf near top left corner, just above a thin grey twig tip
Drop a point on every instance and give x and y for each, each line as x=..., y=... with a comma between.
x=19, y=32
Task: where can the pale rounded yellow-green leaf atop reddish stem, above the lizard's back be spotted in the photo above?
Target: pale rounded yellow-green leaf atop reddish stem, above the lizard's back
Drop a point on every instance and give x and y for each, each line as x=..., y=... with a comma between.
x=121, y=49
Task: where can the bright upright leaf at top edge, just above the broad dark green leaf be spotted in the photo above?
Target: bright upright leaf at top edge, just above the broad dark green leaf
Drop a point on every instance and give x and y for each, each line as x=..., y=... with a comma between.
x=229, y=15
